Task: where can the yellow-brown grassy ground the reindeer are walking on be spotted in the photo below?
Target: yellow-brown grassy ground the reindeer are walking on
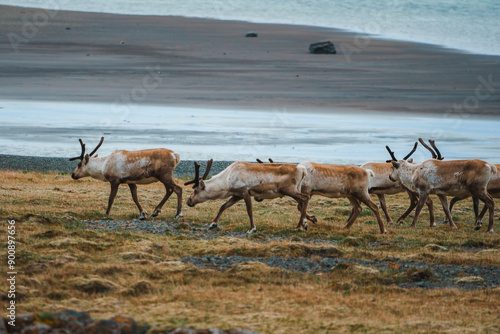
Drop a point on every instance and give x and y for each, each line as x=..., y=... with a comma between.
x=137, y=275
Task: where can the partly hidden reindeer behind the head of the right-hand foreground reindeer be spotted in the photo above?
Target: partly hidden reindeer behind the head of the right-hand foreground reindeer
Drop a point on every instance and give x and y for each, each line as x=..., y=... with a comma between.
x=381, y=185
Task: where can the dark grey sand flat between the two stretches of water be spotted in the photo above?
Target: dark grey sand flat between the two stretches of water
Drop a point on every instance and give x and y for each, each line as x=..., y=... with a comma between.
x=117, y=59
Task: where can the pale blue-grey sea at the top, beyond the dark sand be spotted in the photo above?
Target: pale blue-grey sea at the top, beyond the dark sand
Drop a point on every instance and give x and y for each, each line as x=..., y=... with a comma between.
x=469, y=25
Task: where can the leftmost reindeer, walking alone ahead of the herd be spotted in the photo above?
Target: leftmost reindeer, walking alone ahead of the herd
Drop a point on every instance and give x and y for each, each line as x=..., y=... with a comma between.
x=132, y=168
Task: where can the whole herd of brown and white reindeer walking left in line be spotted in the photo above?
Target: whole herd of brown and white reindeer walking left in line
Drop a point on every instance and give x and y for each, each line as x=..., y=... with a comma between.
x=242, y=181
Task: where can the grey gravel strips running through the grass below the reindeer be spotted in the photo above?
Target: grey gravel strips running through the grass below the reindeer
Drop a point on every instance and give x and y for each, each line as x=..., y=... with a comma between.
x=422, y=274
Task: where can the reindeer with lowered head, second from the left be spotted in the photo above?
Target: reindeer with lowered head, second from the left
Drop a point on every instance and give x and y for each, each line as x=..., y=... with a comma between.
x=242, y=180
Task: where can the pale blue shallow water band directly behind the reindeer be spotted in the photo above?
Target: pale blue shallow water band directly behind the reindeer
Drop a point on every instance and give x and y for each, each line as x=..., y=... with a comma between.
x=51, y=129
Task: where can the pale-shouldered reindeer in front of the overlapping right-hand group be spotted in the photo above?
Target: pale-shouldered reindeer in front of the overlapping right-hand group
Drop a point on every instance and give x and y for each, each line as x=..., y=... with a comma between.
x=446, y=178
